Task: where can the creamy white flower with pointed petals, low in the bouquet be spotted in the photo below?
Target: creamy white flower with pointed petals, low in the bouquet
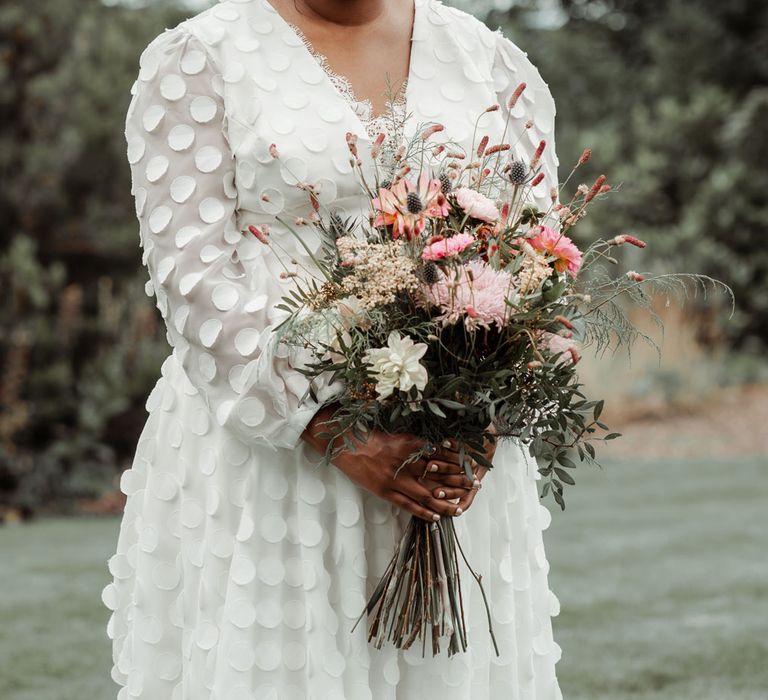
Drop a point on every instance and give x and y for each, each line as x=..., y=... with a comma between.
x=397, y=366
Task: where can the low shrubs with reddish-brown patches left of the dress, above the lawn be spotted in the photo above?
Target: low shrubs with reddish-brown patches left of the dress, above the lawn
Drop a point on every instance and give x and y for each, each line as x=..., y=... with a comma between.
x=75, y=373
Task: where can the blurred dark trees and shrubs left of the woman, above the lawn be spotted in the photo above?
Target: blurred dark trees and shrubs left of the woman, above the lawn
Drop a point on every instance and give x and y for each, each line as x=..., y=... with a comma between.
x=79, y=341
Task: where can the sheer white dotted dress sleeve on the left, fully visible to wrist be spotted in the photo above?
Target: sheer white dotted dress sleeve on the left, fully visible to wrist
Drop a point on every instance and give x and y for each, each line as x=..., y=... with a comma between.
x=217, y=313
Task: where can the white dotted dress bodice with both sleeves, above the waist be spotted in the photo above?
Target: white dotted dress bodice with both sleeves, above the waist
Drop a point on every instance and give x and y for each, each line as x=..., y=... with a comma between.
x=234, y=120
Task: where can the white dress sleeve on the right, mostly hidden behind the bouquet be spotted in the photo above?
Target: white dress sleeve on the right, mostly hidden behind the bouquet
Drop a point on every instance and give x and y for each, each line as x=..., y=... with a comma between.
x=511, y=66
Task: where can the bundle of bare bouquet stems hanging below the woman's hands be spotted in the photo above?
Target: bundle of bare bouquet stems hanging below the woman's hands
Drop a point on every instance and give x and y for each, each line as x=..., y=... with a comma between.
x=419, y=595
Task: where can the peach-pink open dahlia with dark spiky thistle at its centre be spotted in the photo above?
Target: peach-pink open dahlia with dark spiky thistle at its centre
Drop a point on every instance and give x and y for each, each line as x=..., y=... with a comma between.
x=407, y=205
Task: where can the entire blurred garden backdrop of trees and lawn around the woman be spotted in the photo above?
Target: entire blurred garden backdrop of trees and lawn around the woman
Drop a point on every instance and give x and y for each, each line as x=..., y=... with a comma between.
x=659, y=559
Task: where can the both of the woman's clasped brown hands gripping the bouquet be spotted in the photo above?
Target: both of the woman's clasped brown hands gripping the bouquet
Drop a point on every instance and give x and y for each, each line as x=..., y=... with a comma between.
x=423, y=488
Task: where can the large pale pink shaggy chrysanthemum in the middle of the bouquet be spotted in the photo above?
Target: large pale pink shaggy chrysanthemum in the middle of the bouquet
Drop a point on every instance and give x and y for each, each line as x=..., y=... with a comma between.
x=474, y=291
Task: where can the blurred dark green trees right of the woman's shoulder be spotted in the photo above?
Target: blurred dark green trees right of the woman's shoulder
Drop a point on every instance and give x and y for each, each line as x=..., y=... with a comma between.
x=671, y=95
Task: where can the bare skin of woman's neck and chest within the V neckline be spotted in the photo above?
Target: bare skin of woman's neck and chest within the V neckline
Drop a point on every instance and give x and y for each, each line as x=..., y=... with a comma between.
x=356, y=35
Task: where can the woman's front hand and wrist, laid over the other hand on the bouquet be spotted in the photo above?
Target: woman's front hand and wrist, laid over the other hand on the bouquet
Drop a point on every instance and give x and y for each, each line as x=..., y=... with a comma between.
x=374, y=466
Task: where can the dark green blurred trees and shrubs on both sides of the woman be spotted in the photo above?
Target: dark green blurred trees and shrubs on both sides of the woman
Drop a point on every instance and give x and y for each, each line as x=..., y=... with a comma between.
x=679, y=122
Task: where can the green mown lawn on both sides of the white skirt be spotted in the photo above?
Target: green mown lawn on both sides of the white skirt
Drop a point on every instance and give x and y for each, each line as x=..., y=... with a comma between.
x=661, y=569
